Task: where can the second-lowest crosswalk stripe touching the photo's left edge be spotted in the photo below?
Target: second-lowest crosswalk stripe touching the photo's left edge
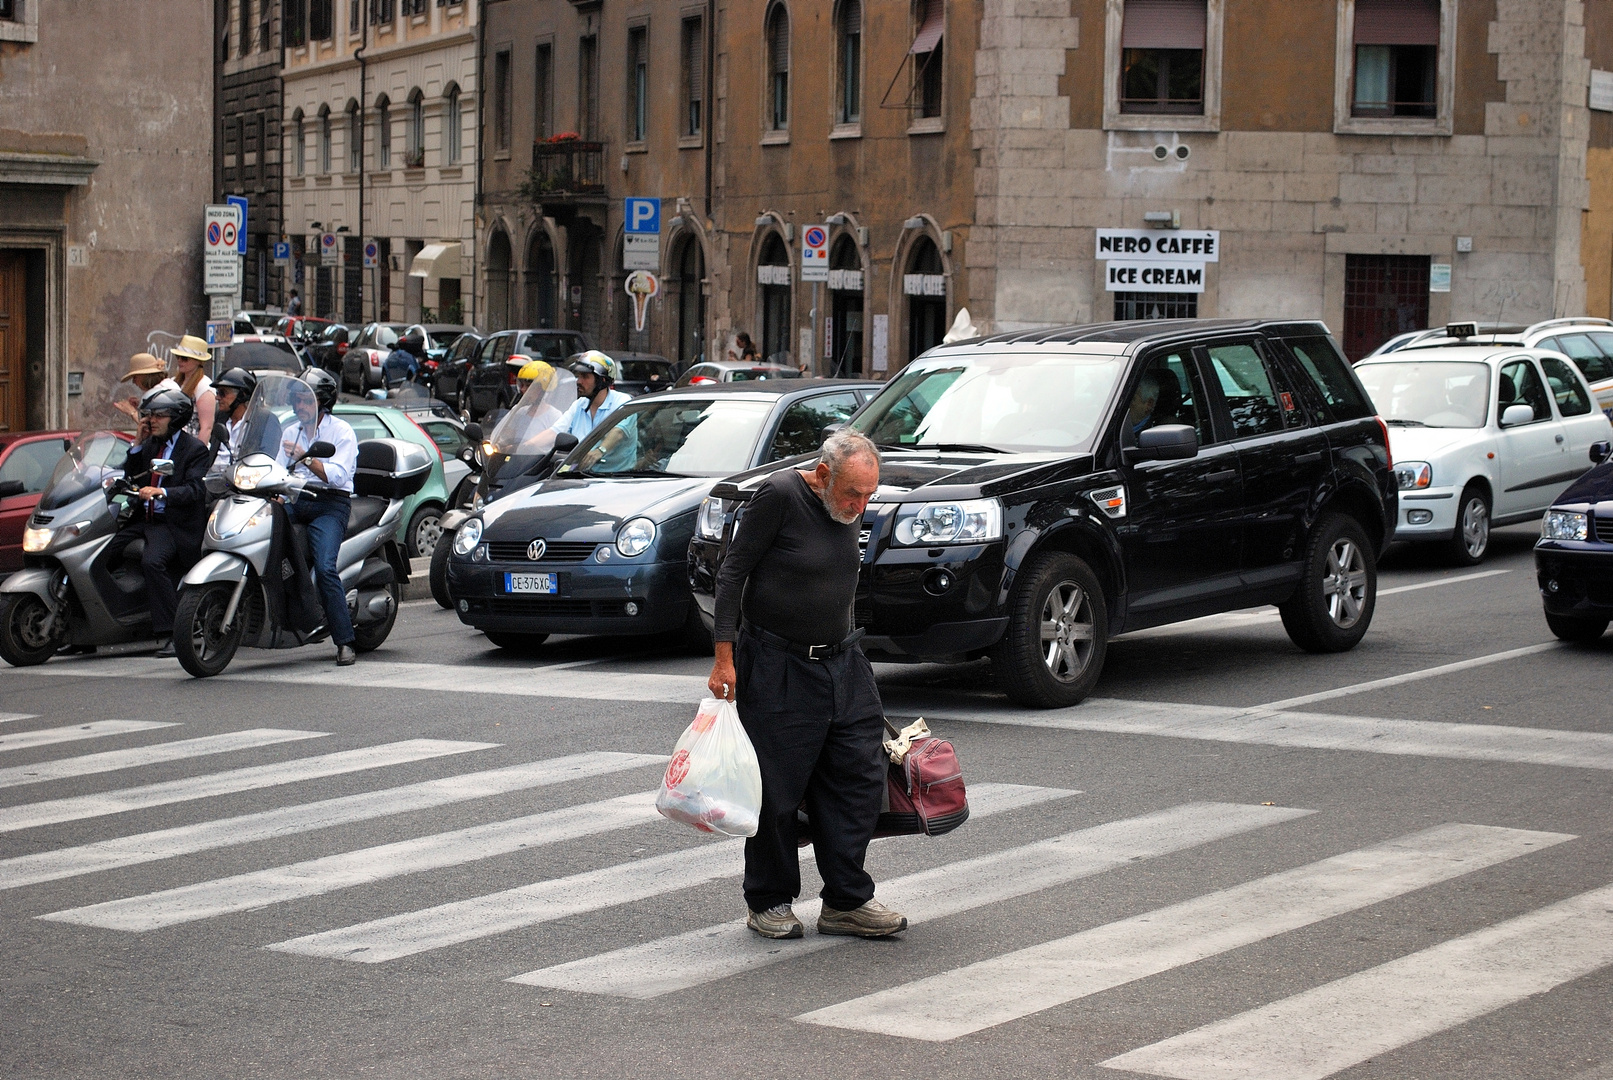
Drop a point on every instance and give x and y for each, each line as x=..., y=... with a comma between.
x=249, y=779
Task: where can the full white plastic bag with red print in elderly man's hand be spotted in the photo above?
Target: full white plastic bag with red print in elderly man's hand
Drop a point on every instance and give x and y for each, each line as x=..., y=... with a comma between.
x=714, y=781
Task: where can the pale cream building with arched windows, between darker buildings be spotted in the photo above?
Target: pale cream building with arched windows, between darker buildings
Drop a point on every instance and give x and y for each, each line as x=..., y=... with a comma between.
x=380, y=144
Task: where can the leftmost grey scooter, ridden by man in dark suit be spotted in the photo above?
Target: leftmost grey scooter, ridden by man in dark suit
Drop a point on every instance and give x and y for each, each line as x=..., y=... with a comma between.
x=69, y=592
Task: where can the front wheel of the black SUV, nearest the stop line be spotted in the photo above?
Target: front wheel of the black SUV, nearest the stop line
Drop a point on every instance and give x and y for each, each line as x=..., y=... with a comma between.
x=1052, y=654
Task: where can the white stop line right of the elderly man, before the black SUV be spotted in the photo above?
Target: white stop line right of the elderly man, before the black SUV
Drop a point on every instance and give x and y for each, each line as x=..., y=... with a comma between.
x=1317, y=731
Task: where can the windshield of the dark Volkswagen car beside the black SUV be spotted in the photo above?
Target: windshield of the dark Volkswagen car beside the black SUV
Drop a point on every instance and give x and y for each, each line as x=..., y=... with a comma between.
x=685, y=438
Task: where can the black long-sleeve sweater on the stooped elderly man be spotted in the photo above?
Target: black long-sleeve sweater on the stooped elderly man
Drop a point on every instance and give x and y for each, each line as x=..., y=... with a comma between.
x=791, y=567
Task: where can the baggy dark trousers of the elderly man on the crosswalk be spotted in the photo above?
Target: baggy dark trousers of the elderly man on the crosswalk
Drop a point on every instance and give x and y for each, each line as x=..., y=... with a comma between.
x=817, y=728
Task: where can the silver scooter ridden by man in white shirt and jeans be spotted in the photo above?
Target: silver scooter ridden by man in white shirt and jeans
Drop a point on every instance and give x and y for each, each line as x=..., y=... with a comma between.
x=246, y=591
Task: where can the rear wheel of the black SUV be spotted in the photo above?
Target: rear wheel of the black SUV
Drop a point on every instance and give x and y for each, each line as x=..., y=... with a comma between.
x=1338, y=592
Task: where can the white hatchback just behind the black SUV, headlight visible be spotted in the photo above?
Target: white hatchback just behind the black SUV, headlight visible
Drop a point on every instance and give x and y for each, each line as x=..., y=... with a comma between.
x=1482, y=436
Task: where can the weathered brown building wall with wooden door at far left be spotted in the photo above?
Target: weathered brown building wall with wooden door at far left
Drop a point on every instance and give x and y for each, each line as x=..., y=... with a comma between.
x=106, y=165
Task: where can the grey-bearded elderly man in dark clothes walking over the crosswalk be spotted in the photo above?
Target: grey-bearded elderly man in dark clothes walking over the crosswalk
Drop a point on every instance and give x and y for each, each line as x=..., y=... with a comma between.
x=788, y=657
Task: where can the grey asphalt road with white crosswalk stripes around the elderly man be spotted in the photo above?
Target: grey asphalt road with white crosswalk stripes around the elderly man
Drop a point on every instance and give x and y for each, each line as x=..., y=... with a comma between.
x=1235, y=862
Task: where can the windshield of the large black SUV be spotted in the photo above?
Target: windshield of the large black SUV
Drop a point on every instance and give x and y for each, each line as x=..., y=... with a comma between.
x=998, y=404
